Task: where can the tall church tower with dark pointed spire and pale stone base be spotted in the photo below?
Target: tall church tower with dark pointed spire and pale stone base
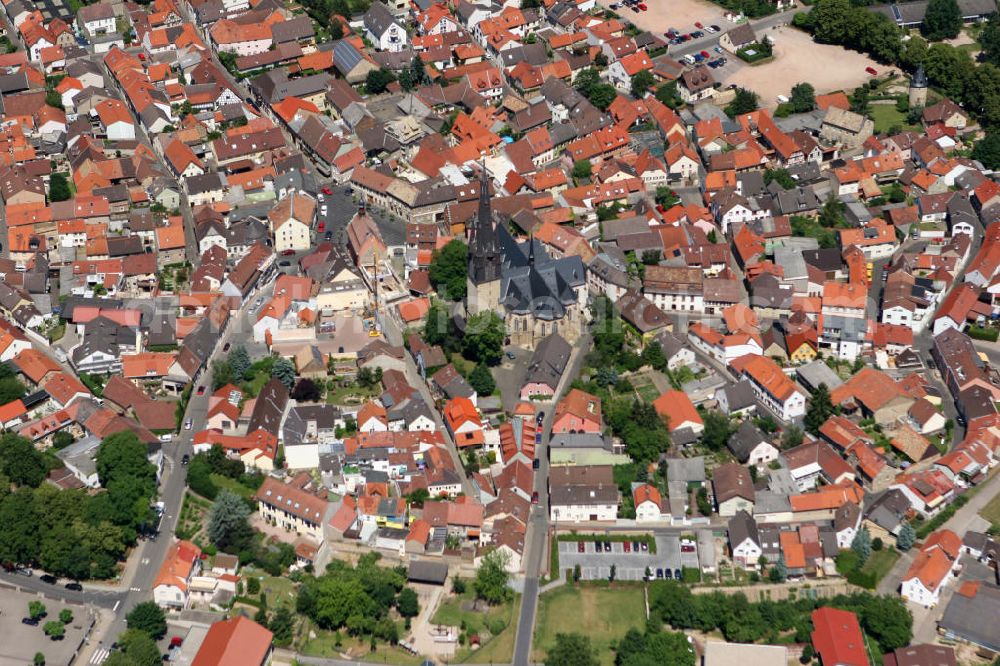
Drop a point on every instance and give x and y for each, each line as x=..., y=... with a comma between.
x=483, y=282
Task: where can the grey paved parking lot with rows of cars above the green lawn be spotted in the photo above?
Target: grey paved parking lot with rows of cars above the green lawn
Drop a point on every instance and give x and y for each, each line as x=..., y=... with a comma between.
x=630, y=565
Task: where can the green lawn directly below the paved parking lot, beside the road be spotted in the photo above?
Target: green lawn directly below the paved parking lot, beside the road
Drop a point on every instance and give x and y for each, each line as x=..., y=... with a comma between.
x=603, y=614
